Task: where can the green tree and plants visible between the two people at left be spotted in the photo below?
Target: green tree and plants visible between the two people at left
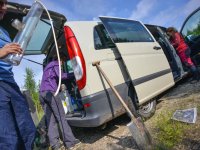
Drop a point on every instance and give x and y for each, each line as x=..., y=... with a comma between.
x=31, y=85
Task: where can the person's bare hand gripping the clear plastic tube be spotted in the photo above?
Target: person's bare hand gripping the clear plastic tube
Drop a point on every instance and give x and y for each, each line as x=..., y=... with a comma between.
x=11, y=48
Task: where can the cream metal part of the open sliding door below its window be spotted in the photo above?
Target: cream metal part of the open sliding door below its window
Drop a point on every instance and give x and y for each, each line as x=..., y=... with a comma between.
x=142, y=62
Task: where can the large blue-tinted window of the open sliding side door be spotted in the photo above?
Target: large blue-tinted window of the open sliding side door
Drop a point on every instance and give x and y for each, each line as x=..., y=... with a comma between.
x=122, y=30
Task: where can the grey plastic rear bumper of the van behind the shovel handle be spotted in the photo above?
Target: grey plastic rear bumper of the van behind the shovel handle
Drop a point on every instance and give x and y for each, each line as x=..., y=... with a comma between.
x=104, y=106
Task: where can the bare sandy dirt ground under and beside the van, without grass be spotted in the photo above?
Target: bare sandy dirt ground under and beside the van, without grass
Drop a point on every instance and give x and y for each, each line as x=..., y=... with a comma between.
x=116, y=135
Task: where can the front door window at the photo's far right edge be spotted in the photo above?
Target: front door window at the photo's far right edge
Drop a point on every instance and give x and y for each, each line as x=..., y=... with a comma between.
x=191, y=29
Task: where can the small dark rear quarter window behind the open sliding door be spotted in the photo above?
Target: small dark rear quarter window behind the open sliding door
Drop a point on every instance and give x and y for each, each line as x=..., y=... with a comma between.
x=102, y=39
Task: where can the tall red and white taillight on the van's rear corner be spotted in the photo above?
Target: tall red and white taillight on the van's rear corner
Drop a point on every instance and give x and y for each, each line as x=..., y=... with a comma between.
x=76, y=57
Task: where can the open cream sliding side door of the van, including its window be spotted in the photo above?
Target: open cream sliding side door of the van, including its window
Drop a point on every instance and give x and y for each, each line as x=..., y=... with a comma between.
x=144, y=59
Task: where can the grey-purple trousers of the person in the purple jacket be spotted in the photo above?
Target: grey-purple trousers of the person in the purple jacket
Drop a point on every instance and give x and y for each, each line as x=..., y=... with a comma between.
x=54, y=113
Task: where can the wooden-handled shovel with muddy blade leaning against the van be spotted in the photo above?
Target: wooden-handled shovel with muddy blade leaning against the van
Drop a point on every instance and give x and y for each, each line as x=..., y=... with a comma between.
x=136, y=126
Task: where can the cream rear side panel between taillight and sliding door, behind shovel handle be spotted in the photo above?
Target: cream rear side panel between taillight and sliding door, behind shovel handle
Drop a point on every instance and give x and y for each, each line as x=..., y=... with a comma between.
x=113, y=69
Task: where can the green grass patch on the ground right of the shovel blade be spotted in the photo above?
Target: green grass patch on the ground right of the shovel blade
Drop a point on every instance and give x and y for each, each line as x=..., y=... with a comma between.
x=168, y=132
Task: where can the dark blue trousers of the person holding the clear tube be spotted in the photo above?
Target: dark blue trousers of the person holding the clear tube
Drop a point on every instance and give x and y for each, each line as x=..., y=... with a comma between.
x=17, y=130
